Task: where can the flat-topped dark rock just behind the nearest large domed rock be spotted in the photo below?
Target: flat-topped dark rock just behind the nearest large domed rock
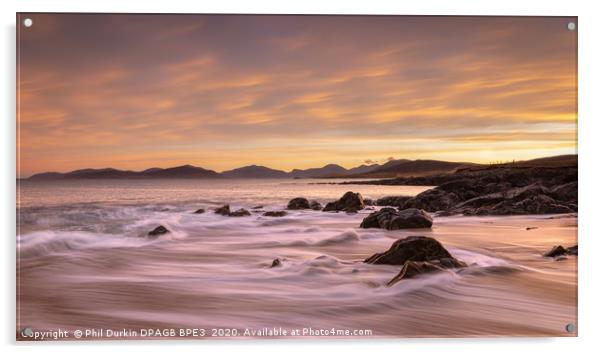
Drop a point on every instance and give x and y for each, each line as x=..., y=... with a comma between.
x=392, y=219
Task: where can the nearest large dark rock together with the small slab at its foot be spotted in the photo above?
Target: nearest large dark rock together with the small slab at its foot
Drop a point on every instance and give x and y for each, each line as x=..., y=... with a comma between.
x=417, y=255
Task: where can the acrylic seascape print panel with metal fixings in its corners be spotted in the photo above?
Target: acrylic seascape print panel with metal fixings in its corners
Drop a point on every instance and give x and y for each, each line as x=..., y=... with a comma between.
x=295, y=176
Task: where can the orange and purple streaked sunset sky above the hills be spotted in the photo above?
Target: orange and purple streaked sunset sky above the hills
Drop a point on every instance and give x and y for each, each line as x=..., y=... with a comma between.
x=221, y=92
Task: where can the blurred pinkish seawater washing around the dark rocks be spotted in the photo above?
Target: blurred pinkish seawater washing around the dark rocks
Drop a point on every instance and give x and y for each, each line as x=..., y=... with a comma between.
x=82, y=263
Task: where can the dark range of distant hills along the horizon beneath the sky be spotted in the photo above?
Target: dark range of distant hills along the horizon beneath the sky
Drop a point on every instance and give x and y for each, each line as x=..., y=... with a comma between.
x=393, y=168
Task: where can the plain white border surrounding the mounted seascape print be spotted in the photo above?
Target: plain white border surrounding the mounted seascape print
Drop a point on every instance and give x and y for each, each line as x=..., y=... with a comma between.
x=590, y=116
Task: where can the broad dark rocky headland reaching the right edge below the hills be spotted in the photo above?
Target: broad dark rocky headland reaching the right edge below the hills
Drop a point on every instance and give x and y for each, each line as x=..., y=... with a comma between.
x=507, y=190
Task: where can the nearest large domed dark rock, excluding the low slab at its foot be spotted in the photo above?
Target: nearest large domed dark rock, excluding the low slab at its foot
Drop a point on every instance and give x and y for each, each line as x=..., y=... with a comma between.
x=418, y=249
